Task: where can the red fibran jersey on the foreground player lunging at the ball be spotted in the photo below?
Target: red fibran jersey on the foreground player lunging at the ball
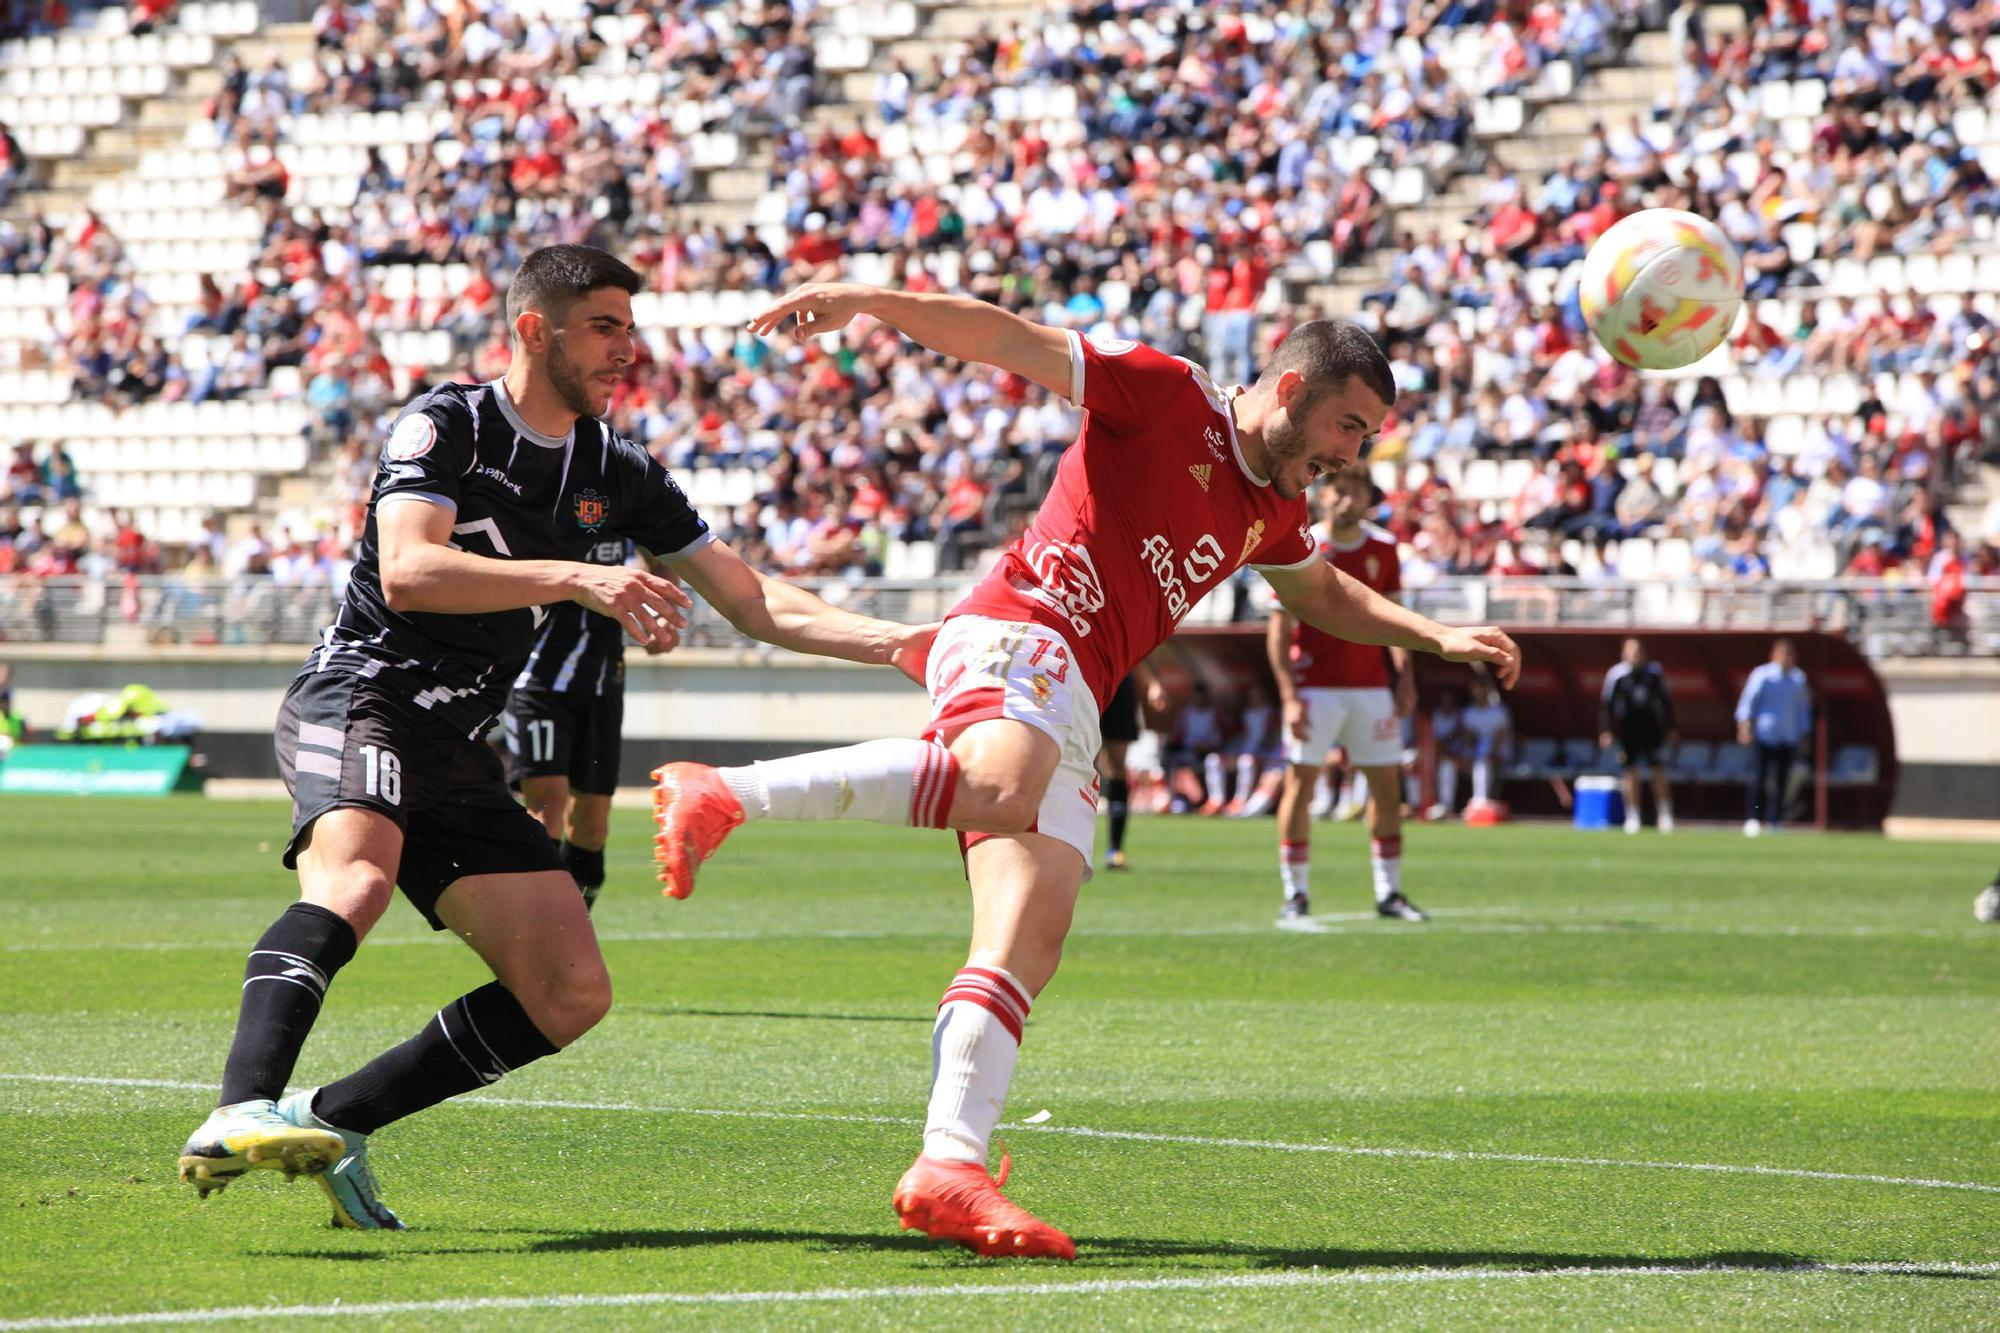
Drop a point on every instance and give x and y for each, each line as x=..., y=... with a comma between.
x=1153, y=509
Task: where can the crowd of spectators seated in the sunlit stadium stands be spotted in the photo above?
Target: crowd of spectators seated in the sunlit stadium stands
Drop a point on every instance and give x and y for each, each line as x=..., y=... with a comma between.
x=1197, y=165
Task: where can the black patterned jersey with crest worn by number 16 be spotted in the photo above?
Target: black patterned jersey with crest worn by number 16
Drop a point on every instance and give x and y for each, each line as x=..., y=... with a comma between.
x=515, y=495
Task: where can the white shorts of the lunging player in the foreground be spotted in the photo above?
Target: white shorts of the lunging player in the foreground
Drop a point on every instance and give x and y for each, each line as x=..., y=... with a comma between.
x=983, y=670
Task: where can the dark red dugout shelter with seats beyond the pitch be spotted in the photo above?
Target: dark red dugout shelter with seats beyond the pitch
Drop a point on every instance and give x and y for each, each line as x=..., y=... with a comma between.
x=1847, y=772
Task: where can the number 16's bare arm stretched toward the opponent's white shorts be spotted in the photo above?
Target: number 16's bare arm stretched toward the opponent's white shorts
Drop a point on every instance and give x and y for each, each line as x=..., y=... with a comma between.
x=789, y=617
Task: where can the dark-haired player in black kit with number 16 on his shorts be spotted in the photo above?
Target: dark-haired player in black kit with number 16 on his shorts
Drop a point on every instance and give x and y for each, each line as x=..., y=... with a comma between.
x=485, y=509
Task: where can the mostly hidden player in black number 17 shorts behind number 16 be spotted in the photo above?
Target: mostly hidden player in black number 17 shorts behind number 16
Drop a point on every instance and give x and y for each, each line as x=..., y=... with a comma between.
x=563, y=728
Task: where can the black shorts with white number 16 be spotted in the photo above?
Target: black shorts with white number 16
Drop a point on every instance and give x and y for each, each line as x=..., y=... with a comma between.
x=341, y=744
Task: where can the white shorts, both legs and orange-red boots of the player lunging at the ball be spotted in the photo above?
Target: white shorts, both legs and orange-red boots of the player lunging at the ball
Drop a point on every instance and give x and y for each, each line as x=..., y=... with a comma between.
x=1023, y=742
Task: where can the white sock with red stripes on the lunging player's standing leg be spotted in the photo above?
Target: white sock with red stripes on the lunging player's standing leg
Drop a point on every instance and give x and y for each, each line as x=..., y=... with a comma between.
x=975, y=1046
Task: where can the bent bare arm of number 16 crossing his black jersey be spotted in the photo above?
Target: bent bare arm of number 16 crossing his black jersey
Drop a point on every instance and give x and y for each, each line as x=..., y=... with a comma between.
x=423, y=571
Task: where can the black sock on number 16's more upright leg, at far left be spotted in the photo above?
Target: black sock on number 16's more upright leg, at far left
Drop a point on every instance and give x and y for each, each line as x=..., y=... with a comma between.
x=285, y=980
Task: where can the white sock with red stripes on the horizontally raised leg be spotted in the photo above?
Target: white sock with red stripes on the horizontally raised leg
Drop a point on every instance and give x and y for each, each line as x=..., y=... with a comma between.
x=907, y=784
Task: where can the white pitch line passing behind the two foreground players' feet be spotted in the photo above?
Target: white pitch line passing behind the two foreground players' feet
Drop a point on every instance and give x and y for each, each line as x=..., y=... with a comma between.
x=1127, y=1136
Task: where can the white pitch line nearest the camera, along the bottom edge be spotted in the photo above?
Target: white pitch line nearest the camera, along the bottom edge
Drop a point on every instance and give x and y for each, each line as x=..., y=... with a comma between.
x=1117, y=1286
